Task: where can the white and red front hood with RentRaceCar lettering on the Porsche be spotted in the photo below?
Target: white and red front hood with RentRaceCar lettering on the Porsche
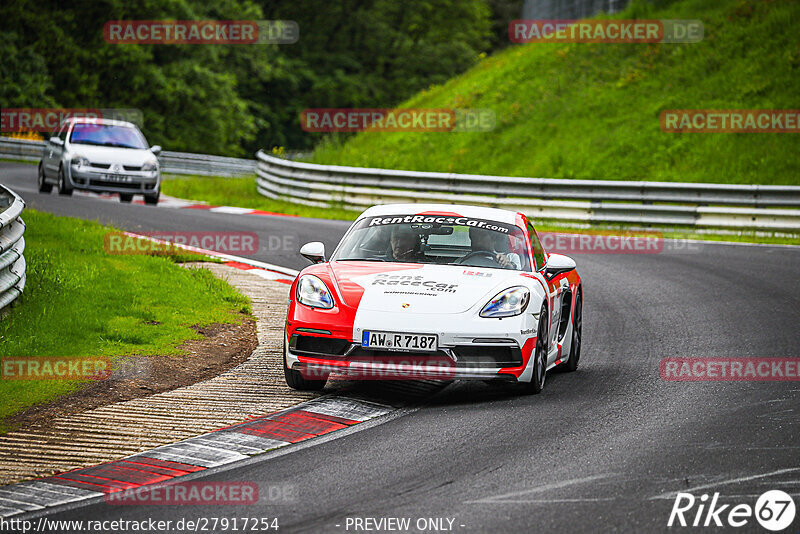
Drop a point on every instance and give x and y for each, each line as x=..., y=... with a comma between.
x=418, y=288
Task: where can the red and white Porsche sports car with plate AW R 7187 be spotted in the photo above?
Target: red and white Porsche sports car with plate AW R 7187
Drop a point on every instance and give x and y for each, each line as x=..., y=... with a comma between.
x=436, y=292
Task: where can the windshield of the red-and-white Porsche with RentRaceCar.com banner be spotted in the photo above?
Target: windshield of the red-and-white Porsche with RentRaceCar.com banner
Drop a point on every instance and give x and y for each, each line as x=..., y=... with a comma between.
x=442, y=240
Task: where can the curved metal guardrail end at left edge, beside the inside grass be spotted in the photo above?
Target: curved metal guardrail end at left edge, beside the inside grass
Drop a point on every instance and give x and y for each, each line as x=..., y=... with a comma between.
x=12, y=245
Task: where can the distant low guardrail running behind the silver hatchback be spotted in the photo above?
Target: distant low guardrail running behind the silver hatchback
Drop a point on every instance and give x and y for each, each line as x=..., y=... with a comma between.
x=171, y=162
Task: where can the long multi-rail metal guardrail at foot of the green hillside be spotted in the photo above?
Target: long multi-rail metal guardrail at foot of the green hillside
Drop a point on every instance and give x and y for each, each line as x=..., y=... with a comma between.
x=753, y=207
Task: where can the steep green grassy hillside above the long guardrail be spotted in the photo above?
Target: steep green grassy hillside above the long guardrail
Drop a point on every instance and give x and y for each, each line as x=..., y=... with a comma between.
x=592, y=110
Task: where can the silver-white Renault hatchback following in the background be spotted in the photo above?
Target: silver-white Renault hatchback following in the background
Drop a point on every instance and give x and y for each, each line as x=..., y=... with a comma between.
x=101, y=155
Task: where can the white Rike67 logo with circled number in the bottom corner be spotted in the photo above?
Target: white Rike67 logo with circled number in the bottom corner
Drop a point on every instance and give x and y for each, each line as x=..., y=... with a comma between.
x=774, y=510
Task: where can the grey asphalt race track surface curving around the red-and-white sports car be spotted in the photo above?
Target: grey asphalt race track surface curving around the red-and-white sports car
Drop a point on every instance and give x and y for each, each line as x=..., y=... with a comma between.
x=600, y=450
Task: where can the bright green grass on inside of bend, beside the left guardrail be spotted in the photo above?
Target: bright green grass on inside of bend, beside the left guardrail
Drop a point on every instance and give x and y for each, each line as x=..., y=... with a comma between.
x=81, y=301
